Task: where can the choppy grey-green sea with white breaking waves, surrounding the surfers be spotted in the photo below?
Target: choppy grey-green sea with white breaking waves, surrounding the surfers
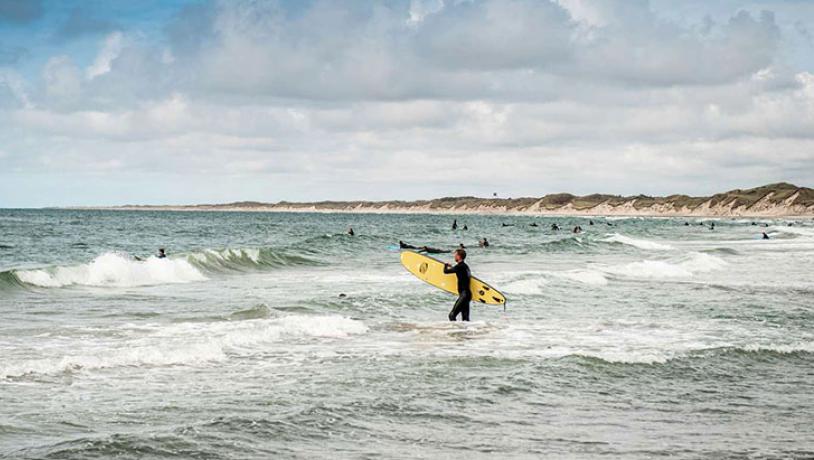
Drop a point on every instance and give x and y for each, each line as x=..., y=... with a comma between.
x=273, y=335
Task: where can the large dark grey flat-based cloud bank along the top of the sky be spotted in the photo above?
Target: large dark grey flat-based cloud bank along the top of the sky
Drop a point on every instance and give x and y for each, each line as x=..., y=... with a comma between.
x=465, y=49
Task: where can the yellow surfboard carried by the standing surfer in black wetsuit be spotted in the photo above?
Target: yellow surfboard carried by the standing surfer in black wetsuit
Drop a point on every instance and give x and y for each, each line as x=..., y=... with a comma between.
x=431, y=271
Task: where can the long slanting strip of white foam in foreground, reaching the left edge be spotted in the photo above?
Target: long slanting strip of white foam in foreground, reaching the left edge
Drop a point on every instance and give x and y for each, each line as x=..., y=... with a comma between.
x=189, y=344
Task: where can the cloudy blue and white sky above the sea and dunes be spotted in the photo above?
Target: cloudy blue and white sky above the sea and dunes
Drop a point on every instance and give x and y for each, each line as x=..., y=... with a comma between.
x=187, y=101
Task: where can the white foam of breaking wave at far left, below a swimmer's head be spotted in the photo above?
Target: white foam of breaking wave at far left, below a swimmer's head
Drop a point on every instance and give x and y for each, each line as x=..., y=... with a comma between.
x=113, y=269
